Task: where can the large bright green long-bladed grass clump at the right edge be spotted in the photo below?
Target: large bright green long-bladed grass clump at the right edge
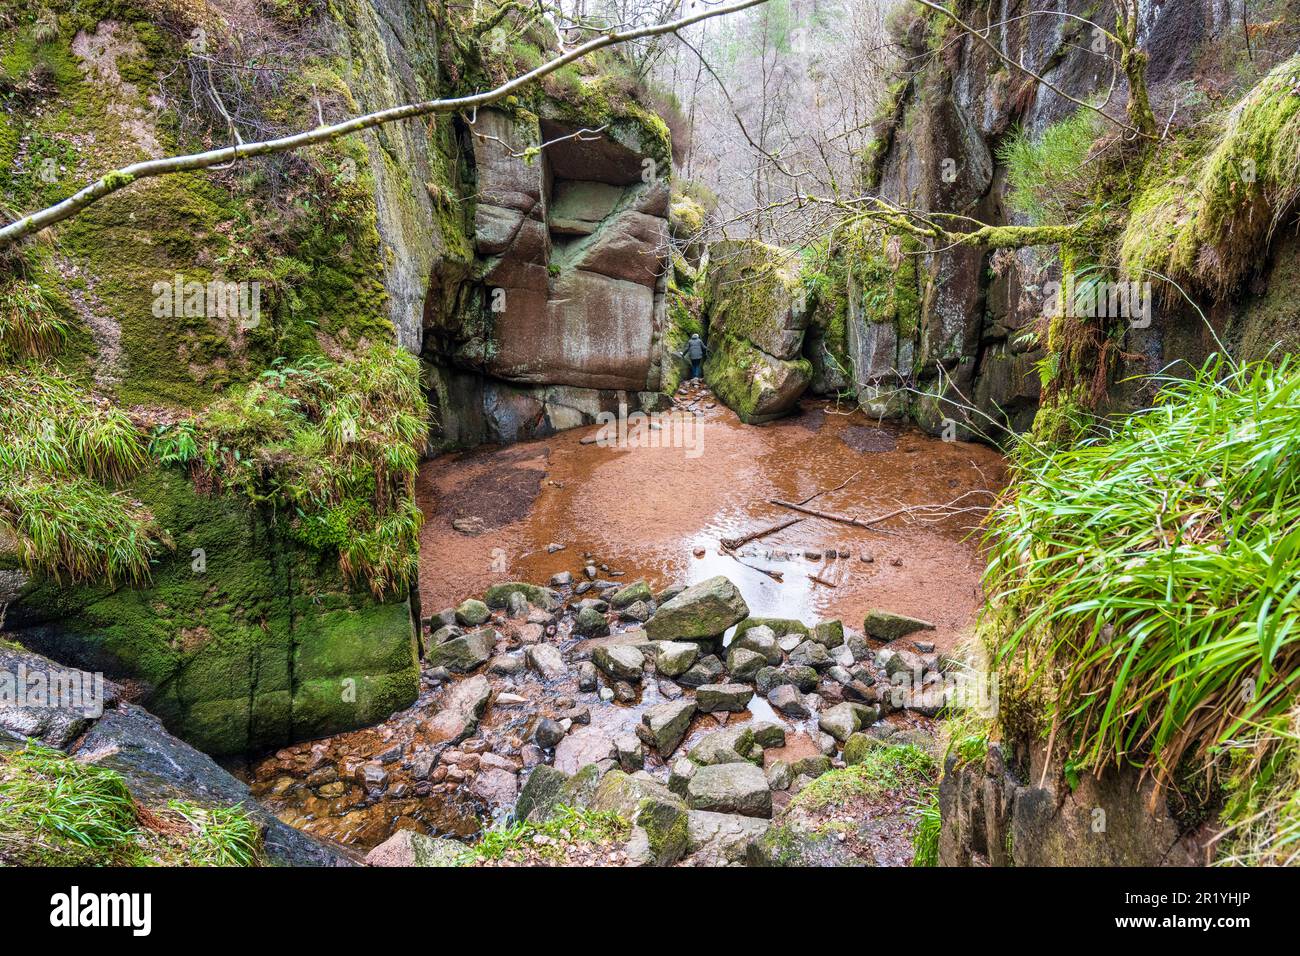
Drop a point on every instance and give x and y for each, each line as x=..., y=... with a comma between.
x=1146, y=579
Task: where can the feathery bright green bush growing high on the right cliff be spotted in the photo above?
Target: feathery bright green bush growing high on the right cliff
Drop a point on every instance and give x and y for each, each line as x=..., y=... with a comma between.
x=1048, y=179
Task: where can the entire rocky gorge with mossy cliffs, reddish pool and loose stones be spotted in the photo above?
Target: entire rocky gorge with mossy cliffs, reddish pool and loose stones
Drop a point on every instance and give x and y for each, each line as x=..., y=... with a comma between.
x=415, y=565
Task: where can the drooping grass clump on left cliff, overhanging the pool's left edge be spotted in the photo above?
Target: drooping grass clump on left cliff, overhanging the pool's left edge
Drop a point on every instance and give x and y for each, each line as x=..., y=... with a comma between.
x=333, y=447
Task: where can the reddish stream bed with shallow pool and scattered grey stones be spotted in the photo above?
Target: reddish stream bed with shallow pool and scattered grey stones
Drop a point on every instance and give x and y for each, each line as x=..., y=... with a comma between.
x=718, y=733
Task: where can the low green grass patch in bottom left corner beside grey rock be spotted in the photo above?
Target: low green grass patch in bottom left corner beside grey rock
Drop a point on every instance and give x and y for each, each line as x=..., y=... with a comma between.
x=59, y=812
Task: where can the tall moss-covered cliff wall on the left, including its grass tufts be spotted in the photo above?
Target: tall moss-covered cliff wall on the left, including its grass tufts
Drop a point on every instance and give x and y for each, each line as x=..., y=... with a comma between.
x=257, y=622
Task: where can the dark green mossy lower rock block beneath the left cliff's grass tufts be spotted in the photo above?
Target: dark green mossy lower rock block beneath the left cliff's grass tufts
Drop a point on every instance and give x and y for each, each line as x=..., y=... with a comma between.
x=242, y=641
